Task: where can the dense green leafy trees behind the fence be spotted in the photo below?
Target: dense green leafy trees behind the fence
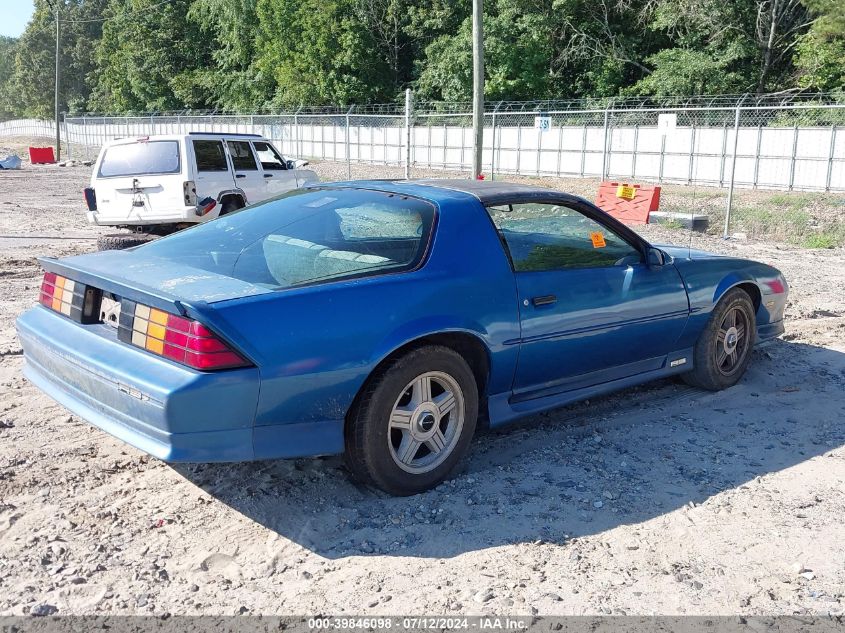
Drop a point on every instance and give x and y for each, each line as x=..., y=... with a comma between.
x=241, y=55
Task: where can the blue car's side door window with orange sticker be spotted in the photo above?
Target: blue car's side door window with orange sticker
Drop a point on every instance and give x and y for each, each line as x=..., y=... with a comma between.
x=542, y=236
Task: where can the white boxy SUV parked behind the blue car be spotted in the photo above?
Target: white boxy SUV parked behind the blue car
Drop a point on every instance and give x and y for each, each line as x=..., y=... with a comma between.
x=159, y=184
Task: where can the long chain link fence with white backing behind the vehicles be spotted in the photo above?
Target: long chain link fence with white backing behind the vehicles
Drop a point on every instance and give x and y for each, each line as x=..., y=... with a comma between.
x=774, y=142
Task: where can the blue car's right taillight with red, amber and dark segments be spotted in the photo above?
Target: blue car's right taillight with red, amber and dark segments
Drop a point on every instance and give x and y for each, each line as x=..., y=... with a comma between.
x=177, y=338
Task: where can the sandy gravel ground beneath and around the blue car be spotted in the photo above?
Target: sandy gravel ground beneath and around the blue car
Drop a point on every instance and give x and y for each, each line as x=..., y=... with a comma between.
x=662, y=499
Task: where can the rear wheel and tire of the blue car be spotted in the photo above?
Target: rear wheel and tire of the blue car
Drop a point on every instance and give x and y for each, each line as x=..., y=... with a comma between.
x=400, y=409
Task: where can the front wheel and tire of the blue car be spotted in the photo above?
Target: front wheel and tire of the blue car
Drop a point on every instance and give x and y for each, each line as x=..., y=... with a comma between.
x=732, y=325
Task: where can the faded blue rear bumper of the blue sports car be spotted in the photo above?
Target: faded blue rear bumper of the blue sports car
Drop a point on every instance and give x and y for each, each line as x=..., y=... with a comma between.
x=173, y=413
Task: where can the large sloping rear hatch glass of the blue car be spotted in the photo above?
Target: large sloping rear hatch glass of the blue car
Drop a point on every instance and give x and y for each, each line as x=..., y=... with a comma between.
x=308, y=236
